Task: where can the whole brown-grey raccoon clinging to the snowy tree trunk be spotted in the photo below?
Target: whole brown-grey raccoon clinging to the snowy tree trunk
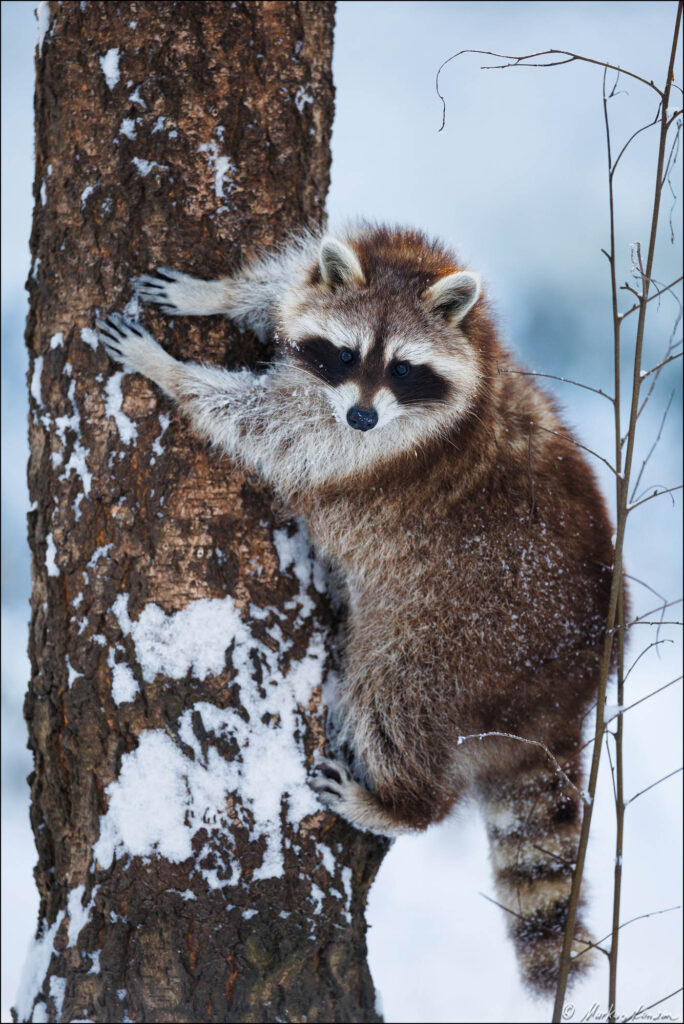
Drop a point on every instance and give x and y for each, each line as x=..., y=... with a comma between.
x=474, y=541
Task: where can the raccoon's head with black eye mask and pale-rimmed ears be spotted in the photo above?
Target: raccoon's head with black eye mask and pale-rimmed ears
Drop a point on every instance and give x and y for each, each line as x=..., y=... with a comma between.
x=382, y=337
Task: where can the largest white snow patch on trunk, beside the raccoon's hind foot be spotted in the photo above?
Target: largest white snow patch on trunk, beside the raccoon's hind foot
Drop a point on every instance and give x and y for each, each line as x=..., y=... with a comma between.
x=168, y=792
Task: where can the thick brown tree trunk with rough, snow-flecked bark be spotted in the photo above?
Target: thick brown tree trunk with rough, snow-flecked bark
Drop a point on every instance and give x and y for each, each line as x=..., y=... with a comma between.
x=181, y=631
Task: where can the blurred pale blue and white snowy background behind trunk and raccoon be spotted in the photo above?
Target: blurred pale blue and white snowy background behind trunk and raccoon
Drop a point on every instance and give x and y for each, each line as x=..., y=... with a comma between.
x=518, y=182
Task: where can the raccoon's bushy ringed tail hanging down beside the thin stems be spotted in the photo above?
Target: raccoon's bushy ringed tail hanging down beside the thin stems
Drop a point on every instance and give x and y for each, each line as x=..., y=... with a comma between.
x=533, y=825
